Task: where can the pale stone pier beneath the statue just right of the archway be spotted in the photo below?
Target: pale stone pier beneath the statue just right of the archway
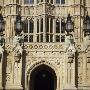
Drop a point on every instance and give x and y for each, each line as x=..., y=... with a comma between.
x=70, y=71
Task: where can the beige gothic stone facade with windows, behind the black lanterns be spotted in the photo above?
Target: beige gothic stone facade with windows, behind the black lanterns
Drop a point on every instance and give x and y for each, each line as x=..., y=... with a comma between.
x=44, y=46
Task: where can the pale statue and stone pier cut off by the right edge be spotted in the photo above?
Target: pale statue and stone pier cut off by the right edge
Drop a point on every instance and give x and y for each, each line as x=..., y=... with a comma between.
x=86, y=63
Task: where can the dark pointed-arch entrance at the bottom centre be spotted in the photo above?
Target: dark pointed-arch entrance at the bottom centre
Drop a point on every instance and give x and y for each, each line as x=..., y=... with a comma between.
x=43, y=78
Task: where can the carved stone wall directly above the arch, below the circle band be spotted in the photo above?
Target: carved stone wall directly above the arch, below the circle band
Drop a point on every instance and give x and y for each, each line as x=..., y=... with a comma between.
x=53, y=57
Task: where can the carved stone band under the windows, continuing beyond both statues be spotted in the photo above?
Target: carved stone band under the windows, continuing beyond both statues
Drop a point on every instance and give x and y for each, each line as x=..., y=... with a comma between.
x=44, y=46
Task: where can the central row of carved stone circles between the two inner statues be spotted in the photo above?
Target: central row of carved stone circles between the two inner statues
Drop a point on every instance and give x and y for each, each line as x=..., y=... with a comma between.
x=46, y=47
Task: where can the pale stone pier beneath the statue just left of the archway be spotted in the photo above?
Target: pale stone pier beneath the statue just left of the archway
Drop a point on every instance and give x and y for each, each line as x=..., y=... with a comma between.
x=17, y=73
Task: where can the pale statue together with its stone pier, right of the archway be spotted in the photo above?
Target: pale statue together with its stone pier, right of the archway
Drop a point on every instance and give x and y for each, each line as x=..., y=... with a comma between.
x=70, y=63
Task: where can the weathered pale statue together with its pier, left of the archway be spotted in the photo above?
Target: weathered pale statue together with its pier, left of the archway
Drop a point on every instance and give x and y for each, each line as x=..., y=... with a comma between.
x=17, y=51
